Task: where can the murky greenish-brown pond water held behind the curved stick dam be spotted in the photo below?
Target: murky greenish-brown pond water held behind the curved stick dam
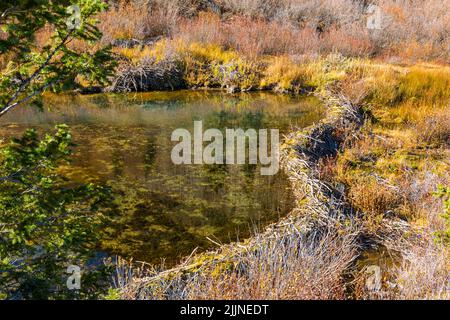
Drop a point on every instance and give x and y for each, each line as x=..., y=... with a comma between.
x=167, y=210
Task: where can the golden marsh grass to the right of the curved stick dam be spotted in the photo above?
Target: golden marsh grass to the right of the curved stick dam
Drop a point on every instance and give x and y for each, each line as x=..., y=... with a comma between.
x=394, y=170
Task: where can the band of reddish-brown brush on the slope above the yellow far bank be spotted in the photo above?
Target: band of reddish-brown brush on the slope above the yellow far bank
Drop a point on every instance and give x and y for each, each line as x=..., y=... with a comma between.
x=410, y=30
